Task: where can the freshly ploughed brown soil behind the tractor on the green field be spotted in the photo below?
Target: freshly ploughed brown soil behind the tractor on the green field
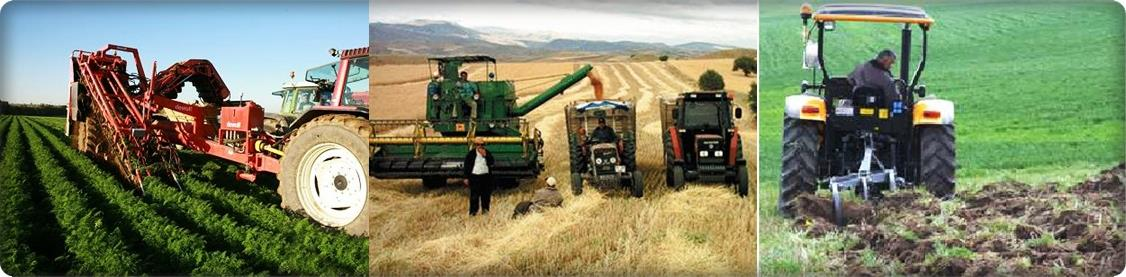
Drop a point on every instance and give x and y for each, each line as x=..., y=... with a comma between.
x=1004, y=229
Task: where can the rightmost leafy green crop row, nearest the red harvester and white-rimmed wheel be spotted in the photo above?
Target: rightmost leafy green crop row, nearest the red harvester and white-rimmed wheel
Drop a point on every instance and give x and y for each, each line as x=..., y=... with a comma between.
x=269, y=237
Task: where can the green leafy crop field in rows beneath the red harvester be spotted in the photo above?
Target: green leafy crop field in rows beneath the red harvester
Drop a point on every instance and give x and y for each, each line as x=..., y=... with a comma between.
x=64, y=215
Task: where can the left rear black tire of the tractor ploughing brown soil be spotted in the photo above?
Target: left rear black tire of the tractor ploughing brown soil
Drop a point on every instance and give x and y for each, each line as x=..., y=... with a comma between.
x=799, y=163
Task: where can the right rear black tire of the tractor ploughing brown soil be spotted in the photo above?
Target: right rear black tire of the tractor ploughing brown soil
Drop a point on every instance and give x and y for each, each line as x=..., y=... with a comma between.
x=937, y=160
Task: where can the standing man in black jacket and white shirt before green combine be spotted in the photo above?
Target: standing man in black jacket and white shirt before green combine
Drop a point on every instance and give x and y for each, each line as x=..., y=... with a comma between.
x=479, y=177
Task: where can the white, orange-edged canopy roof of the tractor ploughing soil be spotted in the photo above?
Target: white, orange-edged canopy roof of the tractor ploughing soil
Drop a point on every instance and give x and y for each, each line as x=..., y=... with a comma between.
x=871, y=13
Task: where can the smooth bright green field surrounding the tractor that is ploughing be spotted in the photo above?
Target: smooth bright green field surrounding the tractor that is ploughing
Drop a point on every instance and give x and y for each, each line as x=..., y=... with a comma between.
x=1039, y=90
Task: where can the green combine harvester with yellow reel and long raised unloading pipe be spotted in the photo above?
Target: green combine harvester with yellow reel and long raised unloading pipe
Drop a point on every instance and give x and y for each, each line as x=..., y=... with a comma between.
x=434, y=150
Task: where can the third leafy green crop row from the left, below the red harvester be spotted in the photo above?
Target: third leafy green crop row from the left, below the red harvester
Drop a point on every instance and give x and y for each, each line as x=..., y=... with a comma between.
x=178, y=249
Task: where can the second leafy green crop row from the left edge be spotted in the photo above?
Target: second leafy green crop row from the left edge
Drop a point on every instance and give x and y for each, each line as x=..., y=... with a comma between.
x=96, y=247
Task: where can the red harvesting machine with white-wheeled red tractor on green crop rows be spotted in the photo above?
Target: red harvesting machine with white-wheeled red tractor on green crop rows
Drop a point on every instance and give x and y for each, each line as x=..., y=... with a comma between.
x=133, y=122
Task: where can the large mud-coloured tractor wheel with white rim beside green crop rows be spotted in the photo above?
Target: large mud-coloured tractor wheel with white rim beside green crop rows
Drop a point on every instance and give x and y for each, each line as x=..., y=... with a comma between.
x=325, y=173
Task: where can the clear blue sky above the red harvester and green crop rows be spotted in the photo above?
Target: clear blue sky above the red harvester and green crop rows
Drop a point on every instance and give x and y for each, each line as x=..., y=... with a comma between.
x=253, y=44
